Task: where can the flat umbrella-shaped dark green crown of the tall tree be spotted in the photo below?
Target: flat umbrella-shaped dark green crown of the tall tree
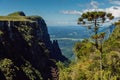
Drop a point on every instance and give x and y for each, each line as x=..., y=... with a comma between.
x=94, y=15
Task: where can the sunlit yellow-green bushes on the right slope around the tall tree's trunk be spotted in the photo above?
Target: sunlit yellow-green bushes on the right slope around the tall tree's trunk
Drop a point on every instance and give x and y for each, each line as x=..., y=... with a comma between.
x=86, y=66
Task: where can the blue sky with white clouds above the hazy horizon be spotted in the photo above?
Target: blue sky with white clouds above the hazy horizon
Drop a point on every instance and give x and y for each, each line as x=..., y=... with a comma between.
x=59, y=12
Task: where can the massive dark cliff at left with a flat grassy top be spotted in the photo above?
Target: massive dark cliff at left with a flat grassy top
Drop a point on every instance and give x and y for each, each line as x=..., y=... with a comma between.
x=26, y=50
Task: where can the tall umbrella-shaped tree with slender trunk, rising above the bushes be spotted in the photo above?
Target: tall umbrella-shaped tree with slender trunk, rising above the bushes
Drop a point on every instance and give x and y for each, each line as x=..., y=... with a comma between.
x=93, y=20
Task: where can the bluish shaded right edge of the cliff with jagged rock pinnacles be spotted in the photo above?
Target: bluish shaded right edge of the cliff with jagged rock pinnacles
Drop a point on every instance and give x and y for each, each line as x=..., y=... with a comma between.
x=53, y=46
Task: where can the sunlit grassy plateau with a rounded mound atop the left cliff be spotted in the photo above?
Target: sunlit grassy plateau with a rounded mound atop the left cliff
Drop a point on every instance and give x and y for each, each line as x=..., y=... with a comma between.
x=19, y=16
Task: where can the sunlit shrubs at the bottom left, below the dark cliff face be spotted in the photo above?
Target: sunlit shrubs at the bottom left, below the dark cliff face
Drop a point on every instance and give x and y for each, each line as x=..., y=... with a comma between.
x=9, y=69
